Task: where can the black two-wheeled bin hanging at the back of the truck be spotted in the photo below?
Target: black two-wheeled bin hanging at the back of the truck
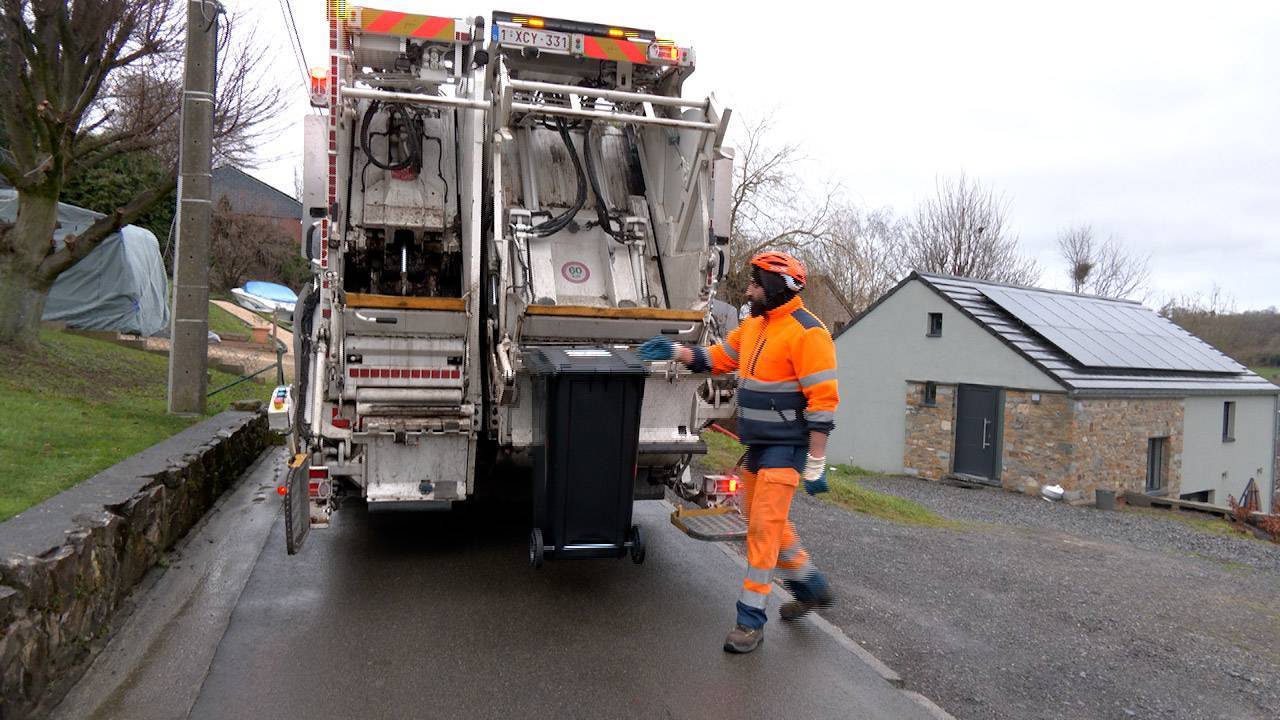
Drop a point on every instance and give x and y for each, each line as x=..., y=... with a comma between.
x=587, y=405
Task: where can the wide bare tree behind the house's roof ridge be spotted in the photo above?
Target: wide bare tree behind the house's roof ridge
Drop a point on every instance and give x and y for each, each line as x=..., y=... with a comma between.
x=962, y=233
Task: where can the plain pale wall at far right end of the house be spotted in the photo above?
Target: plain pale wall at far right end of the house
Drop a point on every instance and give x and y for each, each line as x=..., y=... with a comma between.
x=1227, y=467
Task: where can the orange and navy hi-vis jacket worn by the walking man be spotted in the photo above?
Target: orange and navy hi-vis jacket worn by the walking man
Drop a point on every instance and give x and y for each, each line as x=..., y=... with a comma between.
x=787, y=368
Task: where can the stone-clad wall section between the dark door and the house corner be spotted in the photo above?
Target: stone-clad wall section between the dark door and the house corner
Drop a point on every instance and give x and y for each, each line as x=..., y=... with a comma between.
x=1037, y=439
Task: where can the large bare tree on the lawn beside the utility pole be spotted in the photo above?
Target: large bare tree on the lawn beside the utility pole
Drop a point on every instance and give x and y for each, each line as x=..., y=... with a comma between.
x=85, y=81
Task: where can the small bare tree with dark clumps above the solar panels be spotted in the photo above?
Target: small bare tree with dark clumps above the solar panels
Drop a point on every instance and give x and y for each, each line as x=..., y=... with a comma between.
x=1107, y=270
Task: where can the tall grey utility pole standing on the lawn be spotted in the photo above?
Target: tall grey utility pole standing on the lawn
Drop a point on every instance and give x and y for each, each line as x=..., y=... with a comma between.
x=189, y=335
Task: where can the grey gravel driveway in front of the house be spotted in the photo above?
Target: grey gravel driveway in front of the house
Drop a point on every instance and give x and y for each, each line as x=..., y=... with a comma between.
x=1043, y=610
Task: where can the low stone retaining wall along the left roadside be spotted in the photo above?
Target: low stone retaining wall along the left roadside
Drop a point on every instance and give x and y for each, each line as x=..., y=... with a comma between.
x=68, y=564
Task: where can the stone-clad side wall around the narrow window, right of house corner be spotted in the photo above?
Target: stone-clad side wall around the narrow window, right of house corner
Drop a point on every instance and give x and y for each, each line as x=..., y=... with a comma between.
x=1110, y=444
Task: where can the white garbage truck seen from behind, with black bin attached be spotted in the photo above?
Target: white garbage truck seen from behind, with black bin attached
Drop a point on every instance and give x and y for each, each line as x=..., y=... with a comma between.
x=497, y=212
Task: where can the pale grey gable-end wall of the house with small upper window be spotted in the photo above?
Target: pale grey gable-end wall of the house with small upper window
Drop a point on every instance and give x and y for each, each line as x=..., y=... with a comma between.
x=889, y=348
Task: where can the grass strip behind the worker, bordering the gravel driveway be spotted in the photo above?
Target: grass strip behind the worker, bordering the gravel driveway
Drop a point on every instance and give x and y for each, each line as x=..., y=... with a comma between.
x=723, y=454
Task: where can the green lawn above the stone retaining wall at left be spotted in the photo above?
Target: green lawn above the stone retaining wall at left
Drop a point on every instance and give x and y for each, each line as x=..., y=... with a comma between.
x=81, y=407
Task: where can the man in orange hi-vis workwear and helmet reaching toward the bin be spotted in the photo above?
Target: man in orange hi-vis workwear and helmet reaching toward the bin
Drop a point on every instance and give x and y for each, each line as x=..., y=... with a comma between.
x=787, y=366
